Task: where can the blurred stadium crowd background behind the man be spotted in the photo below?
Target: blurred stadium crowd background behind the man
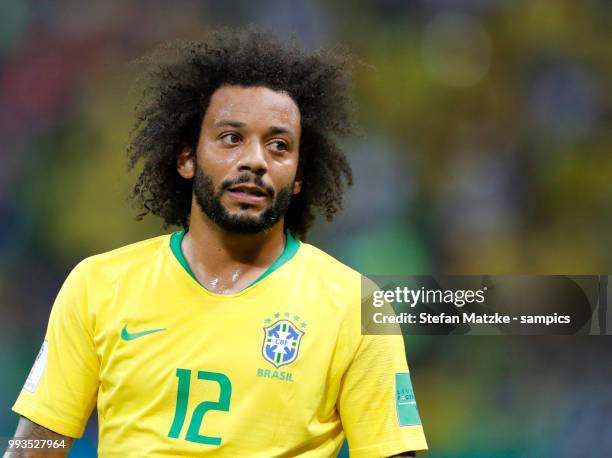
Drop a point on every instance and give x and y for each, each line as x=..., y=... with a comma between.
x=486, y=149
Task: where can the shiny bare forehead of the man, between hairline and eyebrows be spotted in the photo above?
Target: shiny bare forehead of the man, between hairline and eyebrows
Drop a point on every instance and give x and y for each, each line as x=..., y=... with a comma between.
x=253, y=105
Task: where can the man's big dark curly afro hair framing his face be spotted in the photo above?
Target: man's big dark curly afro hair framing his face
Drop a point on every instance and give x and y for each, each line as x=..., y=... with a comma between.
x=178, y=82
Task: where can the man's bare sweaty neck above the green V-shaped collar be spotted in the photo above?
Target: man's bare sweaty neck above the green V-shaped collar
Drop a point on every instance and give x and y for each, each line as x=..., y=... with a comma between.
x=226, y=262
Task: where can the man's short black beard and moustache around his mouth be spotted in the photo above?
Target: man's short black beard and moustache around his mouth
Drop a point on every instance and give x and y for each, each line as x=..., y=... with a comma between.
x=209, y=202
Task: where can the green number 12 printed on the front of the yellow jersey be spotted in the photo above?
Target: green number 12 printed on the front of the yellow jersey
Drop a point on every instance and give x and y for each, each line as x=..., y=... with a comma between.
x=182, y=400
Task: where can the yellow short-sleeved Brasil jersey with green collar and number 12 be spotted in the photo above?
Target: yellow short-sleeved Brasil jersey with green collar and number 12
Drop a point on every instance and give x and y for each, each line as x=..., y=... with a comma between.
x=279, y=369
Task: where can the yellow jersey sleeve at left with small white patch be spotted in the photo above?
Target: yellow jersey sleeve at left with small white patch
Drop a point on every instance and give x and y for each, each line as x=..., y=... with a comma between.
x=60, y=391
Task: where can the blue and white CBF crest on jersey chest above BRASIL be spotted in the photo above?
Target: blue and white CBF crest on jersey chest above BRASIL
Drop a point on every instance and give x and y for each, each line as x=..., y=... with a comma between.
x=281, y=343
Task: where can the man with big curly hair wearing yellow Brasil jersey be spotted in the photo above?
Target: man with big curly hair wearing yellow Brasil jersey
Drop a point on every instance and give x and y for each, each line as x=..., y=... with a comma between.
x=231, y=337
